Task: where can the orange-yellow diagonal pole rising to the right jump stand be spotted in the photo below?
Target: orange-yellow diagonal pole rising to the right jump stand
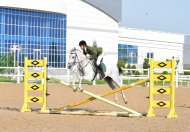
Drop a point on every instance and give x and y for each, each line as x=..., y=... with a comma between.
x=102, y=95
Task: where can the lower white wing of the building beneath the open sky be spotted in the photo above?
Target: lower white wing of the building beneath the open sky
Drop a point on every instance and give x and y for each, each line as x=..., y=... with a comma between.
x=159, y=45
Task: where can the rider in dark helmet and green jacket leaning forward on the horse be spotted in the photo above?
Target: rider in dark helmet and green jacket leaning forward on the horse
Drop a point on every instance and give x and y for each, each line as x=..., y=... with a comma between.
x=92, y=53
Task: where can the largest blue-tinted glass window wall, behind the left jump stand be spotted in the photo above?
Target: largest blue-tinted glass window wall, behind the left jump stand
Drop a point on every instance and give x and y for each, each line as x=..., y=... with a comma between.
x=34, y=30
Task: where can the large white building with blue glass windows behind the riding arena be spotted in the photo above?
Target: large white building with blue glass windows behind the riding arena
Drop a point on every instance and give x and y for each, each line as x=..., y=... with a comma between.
x=56, y=26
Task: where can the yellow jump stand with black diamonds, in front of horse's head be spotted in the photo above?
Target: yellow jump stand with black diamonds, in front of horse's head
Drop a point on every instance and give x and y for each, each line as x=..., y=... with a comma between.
x=34, y=86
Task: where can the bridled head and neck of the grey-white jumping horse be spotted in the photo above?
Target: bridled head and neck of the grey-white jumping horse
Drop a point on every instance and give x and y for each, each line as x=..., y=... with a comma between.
x=75, y=57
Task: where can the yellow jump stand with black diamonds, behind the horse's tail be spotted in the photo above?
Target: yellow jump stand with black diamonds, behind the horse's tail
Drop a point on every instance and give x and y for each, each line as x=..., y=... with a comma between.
x=154, y=90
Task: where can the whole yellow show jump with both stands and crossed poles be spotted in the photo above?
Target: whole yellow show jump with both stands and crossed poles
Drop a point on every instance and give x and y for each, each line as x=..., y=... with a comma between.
x=153, y=90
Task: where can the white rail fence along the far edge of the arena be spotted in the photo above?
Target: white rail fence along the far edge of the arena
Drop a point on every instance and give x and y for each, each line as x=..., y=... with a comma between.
x=17, y=74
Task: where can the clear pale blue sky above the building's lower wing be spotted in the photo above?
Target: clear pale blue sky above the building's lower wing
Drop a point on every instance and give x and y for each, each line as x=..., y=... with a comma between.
x=160, y=15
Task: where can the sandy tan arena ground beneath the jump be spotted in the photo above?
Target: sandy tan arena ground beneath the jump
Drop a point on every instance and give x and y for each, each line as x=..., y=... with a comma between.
x=11, y=101
